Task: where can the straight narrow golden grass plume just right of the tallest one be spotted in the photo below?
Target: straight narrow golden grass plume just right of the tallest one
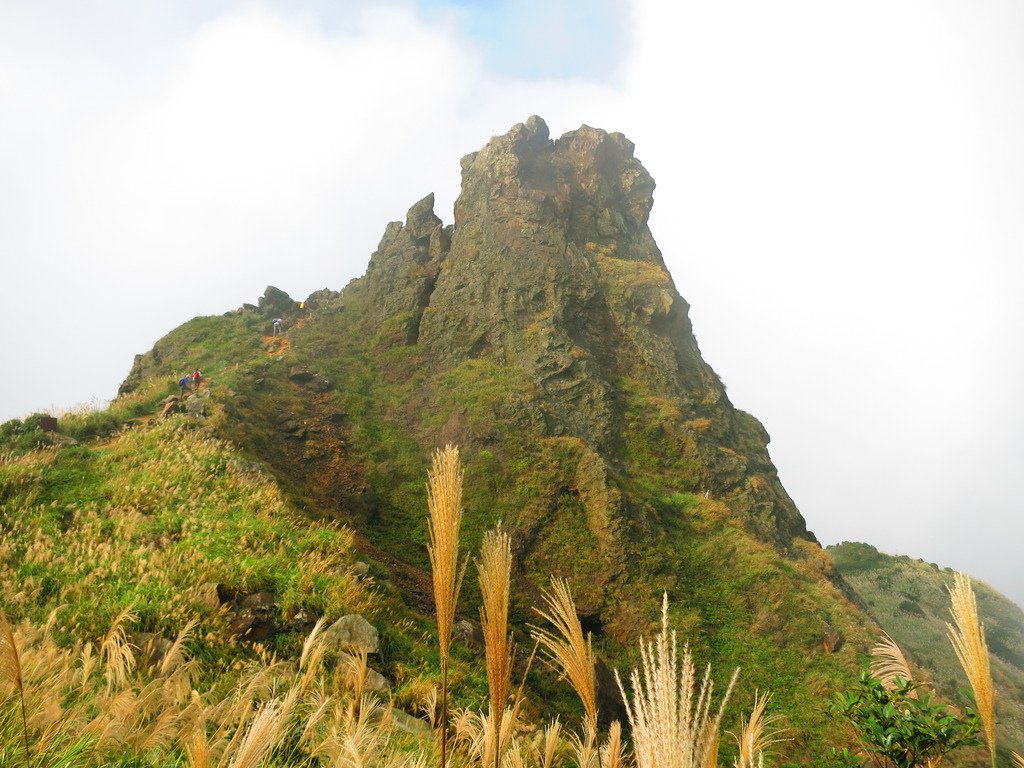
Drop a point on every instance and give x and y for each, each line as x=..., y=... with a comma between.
x=495, y=570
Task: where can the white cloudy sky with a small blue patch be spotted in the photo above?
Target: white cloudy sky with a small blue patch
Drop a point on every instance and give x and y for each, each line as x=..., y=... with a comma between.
x=841, y=189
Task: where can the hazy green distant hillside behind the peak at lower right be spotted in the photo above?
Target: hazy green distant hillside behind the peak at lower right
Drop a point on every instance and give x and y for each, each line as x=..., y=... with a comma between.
x=910, y=600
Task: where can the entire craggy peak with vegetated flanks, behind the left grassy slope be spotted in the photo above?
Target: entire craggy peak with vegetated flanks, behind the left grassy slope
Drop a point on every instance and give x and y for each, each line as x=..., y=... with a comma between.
x=541, y=332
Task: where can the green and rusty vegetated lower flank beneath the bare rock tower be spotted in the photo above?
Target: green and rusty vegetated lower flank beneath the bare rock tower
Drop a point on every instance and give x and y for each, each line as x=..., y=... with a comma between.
x=358, y=454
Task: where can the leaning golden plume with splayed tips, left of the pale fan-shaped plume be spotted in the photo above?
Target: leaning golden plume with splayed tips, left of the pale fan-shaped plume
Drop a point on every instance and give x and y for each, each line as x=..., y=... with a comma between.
x=567, y=652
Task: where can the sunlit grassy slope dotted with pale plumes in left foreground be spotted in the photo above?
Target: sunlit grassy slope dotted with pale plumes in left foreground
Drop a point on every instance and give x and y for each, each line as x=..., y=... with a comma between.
x=163, y=528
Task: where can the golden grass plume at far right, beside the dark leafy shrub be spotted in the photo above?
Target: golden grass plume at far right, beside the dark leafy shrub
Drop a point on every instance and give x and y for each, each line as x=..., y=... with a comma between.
x=968, y=637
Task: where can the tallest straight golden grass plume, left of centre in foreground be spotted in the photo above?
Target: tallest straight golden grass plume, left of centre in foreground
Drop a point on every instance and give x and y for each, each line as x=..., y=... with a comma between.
x=445, y=504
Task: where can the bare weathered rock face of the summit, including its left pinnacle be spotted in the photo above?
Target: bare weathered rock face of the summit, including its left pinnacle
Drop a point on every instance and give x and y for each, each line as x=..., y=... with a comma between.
x=551, y=270
